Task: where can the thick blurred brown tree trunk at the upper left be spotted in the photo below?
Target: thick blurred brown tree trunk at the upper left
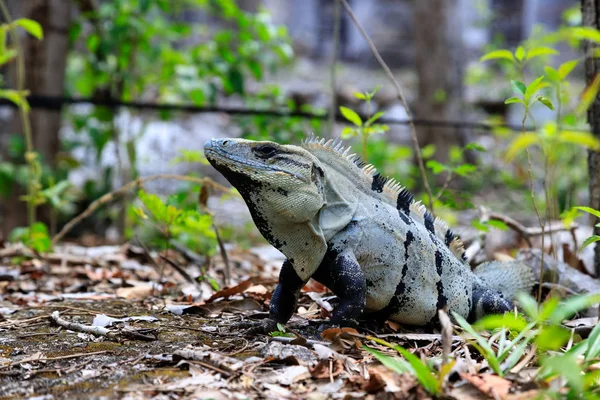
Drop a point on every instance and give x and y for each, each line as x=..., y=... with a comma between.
x=45, y=62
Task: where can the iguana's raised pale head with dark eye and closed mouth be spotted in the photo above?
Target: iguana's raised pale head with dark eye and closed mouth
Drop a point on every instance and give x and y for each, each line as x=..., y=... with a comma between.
x=281, y=183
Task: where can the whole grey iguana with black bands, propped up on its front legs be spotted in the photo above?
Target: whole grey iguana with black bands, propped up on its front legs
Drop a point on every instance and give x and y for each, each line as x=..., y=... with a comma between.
x=360, y=234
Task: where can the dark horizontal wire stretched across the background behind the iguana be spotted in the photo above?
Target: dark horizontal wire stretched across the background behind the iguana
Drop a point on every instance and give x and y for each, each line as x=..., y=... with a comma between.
x=57, y=103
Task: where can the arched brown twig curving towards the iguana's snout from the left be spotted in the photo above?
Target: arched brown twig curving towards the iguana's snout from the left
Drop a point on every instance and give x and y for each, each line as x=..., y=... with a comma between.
x=107, y=198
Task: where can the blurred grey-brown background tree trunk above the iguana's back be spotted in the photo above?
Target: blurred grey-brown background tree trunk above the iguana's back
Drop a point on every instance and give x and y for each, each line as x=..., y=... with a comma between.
x=439, y=63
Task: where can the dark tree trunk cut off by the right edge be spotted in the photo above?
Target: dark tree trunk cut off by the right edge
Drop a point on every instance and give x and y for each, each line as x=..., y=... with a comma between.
x=591, y=17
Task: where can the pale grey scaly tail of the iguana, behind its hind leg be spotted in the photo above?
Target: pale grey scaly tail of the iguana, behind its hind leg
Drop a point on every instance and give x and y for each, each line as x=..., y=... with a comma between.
x=508, y=278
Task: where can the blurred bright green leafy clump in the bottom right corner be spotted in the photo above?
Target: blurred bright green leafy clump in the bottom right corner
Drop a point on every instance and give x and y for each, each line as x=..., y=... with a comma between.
x=539, y=325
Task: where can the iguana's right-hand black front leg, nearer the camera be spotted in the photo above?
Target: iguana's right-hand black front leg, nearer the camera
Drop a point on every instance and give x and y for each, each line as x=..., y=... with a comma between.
x=341, y=273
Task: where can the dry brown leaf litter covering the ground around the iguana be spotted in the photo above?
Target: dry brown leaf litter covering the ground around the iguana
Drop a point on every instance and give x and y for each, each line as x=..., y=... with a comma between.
x=99, y=322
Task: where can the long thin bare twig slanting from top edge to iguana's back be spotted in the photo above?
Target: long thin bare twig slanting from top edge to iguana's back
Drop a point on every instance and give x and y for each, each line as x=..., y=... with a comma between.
x=400, y=95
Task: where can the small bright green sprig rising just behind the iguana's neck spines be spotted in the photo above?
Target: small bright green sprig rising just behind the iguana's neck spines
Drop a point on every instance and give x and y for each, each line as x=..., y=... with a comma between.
x=363, y=129
